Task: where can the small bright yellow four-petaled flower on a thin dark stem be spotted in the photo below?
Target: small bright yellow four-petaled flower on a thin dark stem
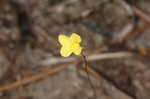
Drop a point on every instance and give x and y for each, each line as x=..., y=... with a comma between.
x=70, y=44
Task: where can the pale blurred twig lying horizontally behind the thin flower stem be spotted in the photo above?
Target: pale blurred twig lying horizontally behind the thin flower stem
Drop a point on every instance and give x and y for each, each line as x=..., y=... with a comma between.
x=54, y=60
